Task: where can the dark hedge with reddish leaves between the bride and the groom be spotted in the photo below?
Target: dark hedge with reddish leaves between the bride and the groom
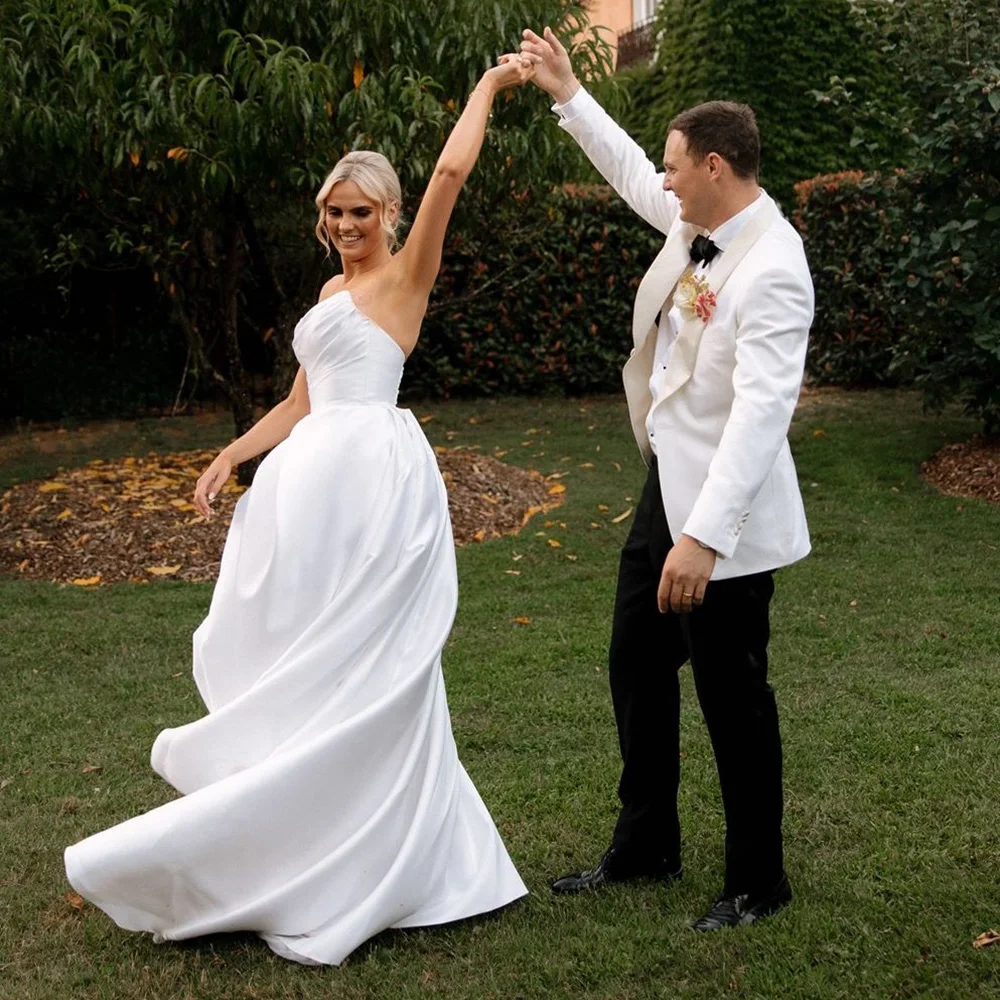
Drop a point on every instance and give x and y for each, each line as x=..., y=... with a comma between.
x=540, y=304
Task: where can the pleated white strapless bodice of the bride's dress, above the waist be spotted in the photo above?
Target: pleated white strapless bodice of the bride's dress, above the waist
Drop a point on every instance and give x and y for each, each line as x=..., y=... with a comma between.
x=347, y=357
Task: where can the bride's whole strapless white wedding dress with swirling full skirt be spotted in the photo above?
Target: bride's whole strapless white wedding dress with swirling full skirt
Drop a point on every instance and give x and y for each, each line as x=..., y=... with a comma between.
x=323, y=799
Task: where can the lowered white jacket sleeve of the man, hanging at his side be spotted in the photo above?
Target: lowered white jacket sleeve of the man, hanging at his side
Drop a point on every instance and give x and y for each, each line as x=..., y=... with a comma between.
x=771, y=335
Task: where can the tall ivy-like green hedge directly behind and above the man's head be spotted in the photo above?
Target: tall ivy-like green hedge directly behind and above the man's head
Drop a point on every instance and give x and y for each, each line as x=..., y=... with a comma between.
x=772, y=56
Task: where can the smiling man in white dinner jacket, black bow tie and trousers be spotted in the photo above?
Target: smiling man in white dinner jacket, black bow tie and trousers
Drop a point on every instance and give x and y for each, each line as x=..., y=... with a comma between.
x=720, y=325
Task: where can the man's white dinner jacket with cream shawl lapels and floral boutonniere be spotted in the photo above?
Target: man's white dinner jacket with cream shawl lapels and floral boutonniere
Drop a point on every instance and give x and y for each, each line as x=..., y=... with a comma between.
x=731, y=385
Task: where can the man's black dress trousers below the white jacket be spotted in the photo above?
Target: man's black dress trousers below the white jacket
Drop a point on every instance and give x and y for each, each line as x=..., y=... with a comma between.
x=726, y=641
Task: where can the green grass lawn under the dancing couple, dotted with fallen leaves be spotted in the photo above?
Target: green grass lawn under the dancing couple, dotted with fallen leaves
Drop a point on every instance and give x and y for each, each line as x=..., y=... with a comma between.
x=885, y=659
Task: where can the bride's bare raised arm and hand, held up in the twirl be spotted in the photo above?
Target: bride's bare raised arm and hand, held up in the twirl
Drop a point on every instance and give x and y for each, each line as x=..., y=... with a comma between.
x=420, y=258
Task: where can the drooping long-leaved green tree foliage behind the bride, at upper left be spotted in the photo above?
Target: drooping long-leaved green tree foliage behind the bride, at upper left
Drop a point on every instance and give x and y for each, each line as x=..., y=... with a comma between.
x=190, y=139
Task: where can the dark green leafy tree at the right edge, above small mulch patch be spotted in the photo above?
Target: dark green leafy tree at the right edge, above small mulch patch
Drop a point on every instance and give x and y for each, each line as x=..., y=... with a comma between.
x=942, y=270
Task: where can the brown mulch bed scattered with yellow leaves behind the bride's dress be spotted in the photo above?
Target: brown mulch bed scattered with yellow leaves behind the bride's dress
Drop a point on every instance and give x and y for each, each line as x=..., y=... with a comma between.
x=132, y=519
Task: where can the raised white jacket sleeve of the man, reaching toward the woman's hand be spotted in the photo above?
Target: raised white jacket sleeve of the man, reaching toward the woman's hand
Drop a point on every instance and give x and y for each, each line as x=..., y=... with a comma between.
x=619, y=158
